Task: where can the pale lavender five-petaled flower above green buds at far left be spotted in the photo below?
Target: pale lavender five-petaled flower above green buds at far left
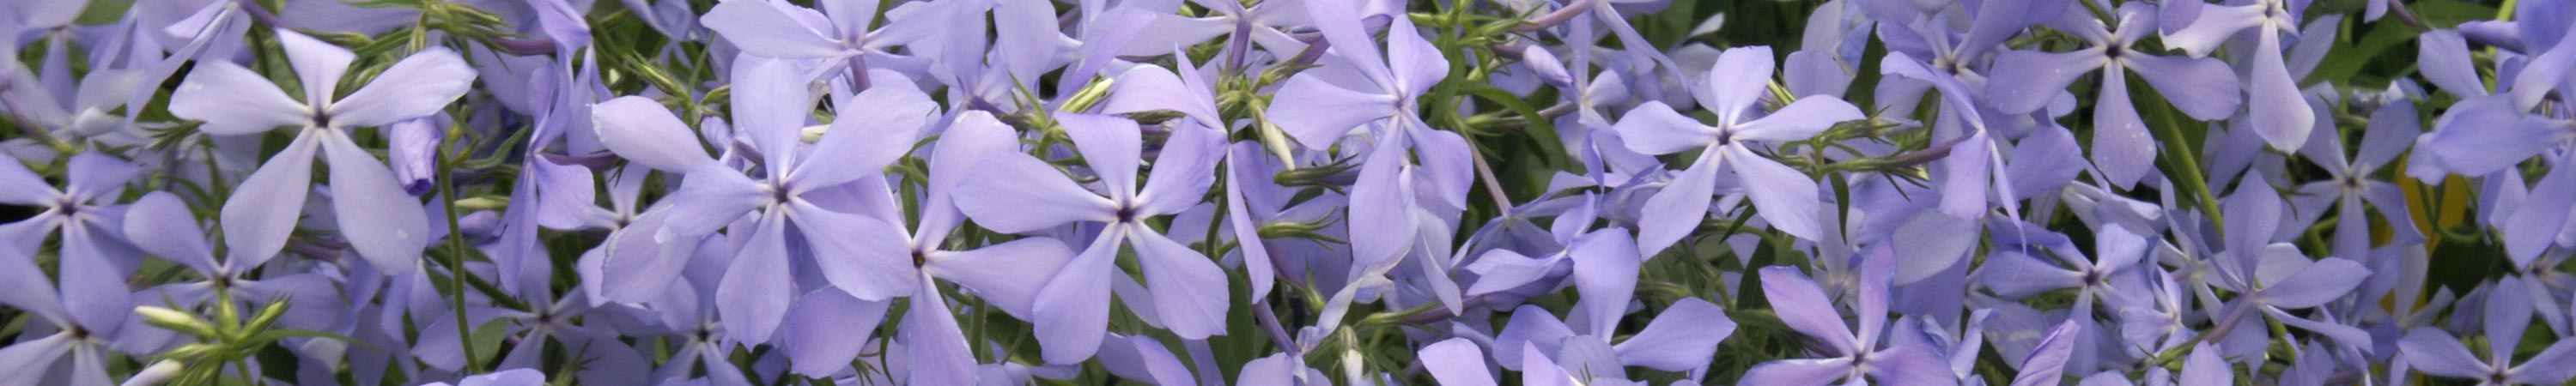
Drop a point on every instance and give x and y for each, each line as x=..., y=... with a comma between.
x=370, y=205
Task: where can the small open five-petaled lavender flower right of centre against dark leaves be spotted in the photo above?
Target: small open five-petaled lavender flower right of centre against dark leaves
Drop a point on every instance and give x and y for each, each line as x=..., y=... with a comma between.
x=1735, y=86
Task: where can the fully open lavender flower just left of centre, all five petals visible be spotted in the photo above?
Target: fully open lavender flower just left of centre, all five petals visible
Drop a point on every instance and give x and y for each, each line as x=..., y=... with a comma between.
x=1021, y=194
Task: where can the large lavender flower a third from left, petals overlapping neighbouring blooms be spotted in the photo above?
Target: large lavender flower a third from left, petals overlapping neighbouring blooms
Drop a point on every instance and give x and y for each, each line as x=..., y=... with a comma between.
x=772, y=104
